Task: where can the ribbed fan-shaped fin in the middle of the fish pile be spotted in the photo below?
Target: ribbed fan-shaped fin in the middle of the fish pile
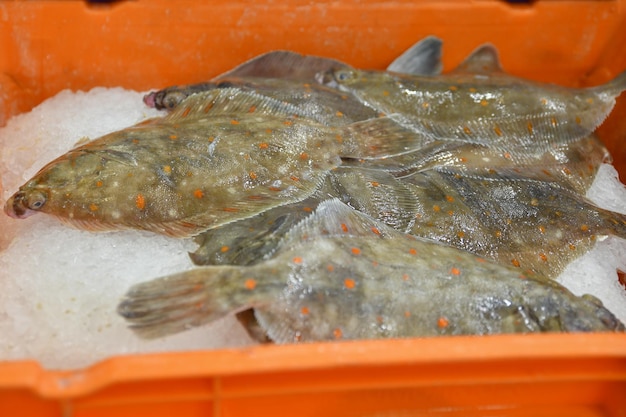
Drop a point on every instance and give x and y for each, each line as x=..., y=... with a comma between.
x=378, y=194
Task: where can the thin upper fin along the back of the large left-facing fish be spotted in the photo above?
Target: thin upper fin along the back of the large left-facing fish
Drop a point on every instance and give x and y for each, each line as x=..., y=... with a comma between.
x=228, y=102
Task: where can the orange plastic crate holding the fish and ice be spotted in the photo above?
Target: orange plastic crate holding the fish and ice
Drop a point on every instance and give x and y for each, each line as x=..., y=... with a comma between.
x=47, y=46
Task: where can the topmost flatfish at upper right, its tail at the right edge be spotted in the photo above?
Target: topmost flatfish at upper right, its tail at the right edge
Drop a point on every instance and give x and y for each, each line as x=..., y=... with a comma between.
x=479, y=103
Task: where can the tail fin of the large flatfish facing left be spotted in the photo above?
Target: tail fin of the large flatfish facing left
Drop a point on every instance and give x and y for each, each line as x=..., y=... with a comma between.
x=379, y=138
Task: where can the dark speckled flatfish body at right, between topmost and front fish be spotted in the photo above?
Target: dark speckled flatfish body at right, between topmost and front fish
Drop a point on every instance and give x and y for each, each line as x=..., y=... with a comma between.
x=537, y=226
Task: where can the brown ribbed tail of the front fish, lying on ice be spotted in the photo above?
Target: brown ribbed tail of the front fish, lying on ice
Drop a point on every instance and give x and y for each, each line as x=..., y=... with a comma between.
x=189, y=299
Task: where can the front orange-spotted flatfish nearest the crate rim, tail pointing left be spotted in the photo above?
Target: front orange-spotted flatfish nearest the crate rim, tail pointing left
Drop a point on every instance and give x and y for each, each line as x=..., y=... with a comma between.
x=341, y=275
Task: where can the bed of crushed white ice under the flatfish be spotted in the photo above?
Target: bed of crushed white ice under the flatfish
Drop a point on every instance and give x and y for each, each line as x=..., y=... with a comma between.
x=60, y=286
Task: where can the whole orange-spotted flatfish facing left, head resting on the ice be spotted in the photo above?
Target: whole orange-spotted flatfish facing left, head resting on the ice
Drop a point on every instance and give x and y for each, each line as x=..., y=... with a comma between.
x=222, y=156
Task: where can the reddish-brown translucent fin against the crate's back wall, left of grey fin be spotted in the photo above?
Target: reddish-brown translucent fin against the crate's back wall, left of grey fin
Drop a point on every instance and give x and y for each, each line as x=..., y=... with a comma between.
x=283, y=64
